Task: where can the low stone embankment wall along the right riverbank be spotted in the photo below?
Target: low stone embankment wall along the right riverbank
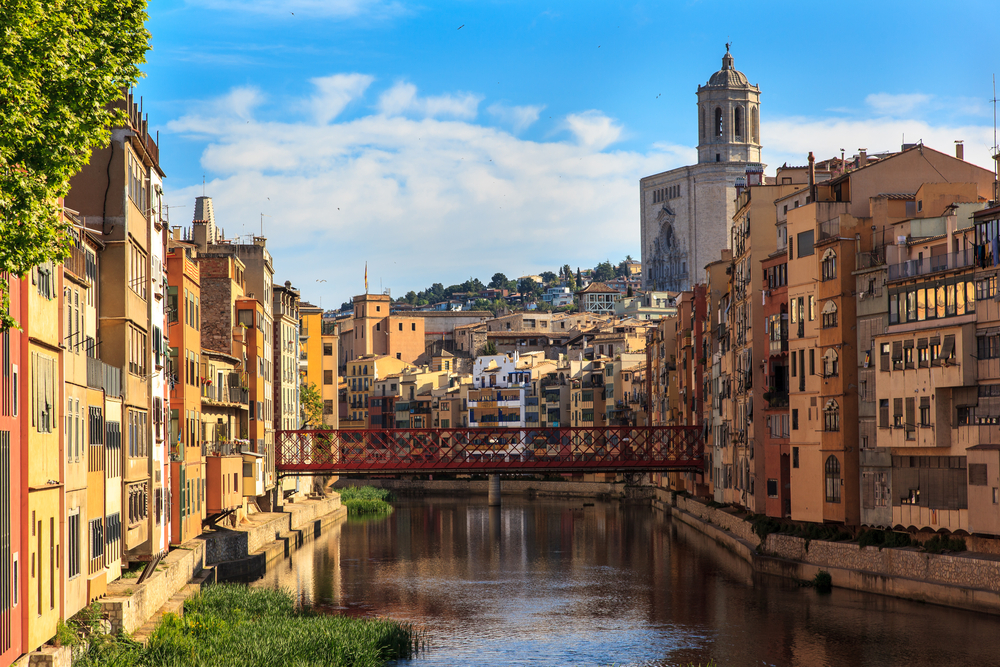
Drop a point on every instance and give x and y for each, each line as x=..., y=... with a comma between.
x=964, y=580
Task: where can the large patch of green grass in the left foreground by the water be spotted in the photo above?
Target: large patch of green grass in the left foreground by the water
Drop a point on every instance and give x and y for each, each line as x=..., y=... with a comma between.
x=238, y=626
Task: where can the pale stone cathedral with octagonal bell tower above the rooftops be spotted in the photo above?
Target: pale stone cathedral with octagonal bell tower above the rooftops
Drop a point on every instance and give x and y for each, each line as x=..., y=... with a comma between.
x=686, y=213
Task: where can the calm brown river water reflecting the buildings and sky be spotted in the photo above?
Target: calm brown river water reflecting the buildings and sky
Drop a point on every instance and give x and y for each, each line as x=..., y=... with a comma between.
x=574, y=583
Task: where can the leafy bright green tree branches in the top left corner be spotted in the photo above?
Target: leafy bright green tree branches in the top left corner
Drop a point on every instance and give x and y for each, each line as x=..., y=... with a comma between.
x=62, y=65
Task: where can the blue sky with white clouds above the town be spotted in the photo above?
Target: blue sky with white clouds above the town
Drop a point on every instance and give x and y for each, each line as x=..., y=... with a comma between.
x=436, y=142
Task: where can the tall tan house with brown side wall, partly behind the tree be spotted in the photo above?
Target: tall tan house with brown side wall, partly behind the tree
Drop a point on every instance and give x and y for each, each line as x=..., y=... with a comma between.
x=115, y=196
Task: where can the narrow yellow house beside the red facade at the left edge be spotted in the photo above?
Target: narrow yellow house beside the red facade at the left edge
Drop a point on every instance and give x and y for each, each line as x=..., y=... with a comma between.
x=41, y=398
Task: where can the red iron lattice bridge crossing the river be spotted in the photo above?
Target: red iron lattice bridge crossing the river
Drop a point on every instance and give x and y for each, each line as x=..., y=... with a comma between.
x=490, y=450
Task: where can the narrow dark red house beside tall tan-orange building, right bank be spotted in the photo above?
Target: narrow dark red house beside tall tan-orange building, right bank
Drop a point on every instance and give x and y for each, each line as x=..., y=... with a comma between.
x=776, y=416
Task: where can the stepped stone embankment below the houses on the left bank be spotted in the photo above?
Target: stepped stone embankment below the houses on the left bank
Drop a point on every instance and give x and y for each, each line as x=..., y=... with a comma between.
x=219, y=555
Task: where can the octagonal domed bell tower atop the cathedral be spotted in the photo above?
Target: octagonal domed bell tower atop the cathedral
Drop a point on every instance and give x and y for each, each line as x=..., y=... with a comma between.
x=728, y=117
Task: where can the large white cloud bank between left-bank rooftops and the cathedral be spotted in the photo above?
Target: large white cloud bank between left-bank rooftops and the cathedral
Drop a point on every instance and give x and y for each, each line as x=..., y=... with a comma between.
x=421, y=199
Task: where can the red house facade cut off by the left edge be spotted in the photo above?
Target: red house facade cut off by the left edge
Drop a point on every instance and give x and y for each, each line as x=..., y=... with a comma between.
x=13, y=491
